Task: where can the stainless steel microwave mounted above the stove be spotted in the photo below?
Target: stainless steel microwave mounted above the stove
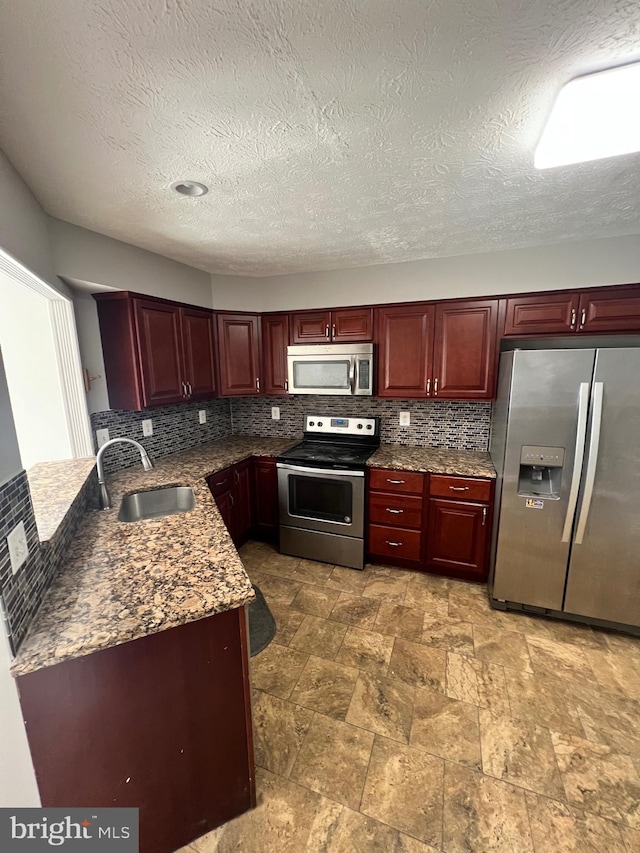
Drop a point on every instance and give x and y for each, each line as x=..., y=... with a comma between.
x=345, y=369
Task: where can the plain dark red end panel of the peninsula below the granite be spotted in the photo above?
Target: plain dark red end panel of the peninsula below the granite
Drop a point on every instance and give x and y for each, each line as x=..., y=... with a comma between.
x=162, y=723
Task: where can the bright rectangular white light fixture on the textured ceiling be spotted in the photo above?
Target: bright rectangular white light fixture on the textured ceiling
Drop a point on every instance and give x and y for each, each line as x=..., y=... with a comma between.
x=593, y=117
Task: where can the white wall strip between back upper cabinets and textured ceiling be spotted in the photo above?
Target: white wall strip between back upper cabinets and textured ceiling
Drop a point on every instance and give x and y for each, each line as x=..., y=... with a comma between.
x=614, y=260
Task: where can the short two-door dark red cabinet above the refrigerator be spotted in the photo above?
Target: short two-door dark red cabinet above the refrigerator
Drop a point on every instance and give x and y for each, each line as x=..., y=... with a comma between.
x=611, y=309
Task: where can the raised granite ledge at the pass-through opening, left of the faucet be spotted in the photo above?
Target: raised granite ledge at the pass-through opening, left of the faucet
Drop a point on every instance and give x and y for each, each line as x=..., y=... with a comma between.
x=54, y=486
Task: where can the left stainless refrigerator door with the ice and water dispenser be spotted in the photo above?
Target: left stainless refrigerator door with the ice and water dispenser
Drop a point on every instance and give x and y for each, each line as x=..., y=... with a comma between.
x=534, y=536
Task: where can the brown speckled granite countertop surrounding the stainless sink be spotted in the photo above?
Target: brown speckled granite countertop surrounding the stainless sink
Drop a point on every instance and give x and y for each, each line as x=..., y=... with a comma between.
x=124, y=581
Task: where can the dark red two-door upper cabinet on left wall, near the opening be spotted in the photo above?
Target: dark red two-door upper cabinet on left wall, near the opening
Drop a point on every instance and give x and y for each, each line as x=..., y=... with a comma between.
x=155, y=352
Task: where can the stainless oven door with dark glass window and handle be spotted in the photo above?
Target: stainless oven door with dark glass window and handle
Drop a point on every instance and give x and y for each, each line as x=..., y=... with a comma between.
x=321, y=499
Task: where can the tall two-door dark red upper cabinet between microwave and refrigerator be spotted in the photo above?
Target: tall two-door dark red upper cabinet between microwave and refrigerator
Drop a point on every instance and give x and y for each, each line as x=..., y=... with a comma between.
x=446, y=350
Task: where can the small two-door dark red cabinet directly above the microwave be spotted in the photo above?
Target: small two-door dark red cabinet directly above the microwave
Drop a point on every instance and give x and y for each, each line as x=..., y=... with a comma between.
x=343, y=325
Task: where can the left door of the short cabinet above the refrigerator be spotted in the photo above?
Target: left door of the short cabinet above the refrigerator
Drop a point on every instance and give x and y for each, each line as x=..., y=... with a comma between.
x=551, y=314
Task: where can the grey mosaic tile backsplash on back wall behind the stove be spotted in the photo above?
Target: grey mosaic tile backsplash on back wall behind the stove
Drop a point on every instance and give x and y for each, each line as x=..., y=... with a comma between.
x=434, y=423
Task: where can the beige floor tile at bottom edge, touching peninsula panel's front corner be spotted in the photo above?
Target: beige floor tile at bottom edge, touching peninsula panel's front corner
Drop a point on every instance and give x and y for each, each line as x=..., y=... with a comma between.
x=288, y=819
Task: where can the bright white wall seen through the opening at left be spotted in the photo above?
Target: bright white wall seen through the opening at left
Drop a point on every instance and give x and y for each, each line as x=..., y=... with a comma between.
x=31, y=366
